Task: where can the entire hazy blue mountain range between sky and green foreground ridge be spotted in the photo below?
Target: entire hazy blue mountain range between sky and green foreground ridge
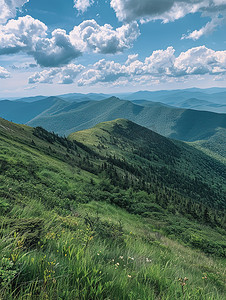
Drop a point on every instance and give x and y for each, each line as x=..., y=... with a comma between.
x=73, y=112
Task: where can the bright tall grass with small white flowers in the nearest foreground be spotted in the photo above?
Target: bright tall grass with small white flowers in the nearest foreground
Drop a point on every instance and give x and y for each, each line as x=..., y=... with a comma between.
x=72, y=261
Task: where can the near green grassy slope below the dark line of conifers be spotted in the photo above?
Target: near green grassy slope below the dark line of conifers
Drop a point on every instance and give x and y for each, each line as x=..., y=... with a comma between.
x=62, y=236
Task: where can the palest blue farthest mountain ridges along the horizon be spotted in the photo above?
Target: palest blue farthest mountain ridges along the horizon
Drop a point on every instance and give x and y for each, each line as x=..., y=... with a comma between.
x=212, y=99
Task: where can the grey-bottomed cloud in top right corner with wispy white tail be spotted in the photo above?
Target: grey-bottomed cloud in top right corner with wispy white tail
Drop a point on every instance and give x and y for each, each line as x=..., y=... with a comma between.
x=171, y=10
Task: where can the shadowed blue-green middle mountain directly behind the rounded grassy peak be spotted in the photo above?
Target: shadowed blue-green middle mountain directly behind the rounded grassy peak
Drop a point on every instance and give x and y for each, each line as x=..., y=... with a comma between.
x=187, y=125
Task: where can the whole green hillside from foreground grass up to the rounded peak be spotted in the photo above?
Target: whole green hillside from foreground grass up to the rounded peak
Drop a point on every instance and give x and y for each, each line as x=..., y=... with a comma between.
x=72, y=230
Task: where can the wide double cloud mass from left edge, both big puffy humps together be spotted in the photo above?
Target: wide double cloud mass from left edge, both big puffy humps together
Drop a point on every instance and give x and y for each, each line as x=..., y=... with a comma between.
x=30, y=35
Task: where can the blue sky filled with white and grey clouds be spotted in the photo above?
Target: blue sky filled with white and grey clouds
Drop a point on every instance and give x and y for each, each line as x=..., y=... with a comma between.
x=57, y=46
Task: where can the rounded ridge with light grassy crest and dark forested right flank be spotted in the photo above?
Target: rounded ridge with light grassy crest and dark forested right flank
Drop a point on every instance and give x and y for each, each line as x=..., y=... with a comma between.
x=154, y=154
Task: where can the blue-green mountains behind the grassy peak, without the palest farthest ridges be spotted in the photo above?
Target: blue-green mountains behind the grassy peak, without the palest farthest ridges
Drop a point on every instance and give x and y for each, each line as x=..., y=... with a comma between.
x=62, y=117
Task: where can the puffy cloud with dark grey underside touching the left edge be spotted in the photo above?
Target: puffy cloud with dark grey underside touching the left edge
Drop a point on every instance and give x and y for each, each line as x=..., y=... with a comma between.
x=30, y=35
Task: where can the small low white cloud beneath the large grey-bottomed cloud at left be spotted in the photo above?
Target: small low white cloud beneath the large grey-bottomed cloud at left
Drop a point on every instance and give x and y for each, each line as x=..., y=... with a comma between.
x=64, y=75
